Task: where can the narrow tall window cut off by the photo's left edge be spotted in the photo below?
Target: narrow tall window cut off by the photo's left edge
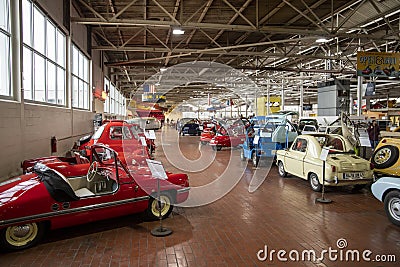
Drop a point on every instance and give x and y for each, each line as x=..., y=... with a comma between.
x=5, y=88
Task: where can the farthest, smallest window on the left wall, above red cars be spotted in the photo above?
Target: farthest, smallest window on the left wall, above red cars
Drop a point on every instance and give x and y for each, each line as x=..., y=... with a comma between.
x=115, y=102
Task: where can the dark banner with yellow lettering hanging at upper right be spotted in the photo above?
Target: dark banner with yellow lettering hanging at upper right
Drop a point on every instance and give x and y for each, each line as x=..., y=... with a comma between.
x=378, y=64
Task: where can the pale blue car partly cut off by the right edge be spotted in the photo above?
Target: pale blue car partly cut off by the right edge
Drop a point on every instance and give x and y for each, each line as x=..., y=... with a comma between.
x=387, y=190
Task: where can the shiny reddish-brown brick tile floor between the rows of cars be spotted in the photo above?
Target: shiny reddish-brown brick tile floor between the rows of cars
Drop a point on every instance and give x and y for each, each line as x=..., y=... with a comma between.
x=281, y=214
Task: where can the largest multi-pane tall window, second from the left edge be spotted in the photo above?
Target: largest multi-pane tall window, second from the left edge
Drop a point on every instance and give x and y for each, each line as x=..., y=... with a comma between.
x=43, y=57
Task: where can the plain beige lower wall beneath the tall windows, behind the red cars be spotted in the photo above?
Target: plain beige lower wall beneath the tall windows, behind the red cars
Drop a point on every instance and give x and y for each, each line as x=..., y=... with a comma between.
x=26, y=132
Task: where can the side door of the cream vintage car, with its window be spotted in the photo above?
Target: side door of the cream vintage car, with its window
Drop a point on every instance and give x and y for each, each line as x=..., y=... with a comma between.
x=294, y=160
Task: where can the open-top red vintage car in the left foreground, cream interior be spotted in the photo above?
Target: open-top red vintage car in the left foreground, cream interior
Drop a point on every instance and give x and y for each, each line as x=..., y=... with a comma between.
x=47, y=199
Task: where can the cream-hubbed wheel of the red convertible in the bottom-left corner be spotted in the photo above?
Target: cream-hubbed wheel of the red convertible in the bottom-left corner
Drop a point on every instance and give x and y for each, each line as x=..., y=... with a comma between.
x=18, y=237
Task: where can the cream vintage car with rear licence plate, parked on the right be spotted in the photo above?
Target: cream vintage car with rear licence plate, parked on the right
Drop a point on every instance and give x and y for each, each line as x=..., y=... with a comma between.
x=342, y=168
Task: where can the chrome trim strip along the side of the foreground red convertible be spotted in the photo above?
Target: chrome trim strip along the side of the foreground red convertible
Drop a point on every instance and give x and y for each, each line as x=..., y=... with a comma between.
x=74, y=210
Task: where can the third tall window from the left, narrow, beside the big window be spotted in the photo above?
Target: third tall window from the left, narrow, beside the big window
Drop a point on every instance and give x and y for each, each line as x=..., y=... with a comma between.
x=80, y=79
